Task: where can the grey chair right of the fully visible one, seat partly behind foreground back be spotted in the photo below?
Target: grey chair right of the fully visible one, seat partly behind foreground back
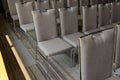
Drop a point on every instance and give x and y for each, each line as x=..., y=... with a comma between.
x=69, y=27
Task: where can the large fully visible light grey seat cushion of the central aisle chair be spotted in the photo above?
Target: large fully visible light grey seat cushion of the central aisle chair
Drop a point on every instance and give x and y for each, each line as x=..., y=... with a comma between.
x=53, y=46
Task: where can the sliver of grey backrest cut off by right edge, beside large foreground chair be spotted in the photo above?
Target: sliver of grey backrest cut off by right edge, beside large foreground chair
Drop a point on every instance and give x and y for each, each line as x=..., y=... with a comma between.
x=117, y=54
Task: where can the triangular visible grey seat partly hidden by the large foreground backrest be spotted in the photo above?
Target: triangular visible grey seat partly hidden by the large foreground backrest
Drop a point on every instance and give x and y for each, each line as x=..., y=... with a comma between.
x=73, y=38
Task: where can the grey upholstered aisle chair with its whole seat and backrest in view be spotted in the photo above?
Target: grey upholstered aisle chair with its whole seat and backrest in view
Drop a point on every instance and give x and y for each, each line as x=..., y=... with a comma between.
x=47, y=36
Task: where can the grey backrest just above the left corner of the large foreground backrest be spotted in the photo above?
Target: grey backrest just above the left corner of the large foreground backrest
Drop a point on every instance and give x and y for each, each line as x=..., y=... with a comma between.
x=89, y=17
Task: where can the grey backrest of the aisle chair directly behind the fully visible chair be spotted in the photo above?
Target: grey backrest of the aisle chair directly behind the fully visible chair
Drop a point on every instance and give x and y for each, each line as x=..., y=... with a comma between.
x=25, y=12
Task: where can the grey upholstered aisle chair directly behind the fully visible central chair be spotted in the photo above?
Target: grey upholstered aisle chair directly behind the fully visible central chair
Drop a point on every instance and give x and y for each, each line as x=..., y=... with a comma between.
x=25, y=16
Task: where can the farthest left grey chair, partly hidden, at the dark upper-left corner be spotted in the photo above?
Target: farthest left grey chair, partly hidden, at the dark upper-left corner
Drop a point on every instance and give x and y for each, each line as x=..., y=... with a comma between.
x=13, y=12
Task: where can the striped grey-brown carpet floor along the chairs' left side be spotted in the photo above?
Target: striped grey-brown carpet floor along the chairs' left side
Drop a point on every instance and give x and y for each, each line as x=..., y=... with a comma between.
x=39, y=68
